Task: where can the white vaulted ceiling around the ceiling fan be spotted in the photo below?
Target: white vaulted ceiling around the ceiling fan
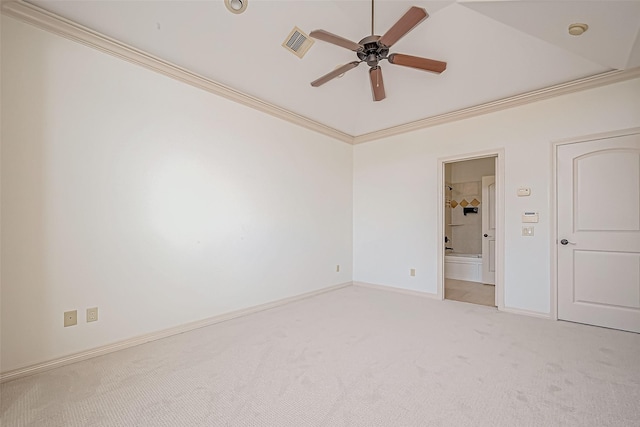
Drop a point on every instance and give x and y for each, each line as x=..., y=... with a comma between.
x=494, y=49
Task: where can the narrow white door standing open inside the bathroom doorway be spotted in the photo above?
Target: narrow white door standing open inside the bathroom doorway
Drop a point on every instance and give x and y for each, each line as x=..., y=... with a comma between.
x=489, y=230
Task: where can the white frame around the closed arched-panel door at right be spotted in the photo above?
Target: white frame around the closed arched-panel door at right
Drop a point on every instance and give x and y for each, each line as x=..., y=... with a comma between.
x=554, y=202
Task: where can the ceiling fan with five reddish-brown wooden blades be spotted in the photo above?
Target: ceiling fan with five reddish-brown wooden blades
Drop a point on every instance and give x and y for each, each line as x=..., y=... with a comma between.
x=373, y=49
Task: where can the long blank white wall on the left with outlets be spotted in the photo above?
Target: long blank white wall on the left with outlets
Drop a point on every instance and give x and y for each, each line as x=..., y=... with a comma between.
x=157, y=202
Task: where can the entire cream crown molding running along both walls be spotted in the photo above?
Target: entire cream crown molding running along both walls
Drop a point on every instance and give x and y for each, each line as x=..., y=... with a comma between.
x=58, y=25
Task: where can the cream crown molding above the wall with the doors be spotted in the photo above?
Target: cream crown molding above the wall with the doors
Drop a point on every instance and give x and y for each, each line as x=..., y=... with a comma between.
x=598, y=80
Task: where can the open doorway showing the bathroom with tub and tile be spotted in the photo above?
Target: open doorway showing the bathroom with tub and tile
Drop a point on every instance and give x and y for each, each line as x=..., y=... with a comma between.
x=469, y=228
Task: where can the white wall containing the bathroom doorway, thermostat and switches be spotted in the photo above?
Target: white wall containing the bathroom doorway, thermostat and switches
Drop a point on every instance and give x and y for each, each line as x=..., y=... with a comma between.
x=396, y=189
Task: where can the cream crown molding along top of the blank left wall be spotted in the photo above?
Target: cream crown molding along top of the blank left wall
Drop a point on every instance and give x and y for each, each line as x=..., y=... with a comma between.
x=58, y=25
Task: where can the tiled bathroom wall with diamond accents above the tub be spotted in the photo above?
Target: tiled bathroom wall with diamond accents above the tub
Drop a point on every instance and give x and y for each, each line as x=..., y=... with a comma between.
x=466, y=180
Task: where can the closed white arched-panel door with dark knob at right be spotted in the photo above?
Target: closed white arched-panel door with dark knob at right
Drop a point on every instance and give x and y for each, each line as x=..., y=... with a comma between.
x=599, y=232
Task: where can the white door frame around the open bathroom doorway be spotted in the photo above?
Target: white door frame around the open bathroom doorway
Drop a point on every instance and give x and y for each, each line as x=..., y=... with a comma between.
x=499, y=174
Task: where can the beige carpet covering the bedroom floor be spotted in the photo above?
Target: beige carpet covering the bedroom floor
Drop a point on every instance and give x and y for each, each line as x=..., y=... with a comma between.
x=352, y=357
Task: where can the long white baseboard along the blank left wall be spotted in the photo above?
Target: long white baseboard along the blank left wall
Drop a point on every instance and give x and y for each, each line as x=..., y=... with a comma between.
x=131, y=342
